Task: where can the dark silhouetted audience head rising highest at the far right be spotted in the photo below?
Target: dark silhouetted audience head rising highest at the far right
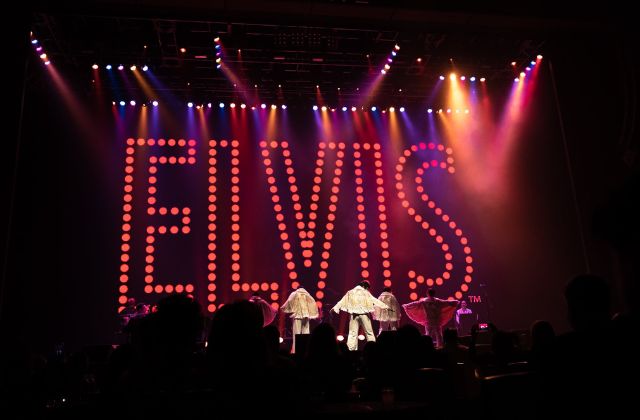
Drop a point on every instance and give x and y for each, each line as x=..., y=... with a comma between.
x=588, y=303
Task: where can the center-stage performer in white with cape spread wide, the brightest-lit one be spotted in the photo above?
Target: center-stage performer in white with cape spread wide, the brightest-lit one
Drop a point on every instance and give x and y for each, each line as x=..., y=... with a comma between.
x=359, y=303
